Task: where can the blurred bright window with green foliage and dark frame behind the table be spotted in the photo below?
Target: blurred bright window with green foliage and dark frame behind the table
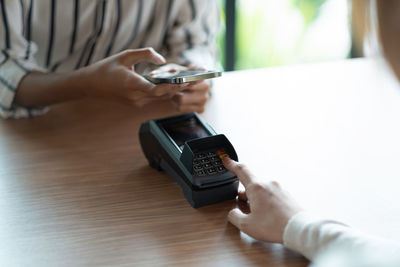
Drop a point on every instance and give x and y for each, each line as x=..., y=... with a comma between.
x=265, y=33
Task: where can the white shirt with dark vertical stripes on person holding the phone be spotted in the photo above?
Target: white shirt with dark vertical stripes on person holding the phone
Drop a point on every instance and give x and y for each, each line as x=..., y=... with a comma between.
x=65, y=35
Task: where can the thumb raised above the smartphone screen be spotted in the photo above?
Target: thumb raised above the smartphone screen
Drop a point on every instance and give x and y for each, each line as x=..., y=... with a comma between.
x=134, y=56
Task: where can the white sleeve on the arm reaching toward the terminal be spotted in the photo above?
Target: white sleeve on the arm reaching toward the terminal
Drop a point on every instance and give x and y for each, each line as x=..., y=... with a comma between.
x=331, y=243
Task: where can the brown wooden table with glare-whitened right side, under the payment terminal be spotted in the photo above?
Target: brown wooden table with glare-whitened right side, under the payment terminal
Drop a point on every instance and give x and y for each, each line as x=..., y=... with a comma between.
x=75, y=188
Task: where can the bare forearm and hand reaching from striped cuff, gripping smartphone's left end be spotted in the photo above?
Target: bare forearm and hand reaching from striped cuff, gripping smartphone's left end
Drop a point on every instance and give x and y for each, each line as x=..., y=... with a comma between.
x=113, y=78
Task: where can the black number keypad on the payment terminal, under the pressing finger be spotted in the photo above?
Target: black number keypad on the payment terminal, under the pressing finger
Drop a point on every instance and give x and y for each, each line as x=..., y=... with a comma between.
x=209, y=162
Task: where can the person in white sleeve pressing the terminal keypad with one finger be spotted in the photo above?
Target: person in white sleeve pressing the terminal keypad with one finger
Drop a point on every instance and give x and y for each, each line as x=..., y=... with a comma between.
x=276, y=217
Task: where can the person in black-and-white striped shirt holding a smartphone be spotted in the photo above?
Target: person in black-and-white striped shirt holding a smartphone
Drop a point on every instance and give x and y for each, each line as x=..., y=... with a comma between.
x=54, y=51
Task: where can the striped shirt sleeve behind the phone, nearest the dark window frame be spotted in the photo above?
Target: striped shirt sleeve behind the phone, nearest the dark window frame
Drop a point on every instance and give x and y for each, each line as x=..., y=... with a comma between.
x=191, y=38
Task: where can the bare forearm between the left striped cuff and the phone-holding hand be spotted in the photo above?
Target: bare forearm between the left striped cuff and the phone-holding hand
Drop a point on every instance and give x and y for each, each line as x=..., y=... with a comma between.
x=43, y=89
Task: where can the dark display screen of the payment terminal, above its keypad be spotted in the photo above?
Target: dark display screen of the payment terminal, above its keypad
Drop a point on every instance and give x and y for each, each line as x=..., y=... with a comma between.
x=185, y=130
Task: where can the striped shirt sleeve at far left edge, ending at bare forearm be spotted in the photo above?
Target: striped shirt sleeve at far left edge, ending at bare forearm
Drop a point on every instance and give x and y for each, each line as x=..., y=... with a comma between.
x=16, y=58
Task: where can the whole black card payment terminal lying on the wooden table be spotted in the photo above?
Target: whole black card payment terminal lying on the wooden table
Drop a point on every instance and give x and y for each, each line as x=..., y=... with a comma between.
x=190, y=151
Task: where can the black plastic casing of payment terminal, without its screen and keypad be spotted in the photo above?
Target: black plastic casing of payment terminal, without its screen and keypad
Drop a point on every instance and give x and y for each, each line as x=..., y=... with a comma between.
x=163, y=154
